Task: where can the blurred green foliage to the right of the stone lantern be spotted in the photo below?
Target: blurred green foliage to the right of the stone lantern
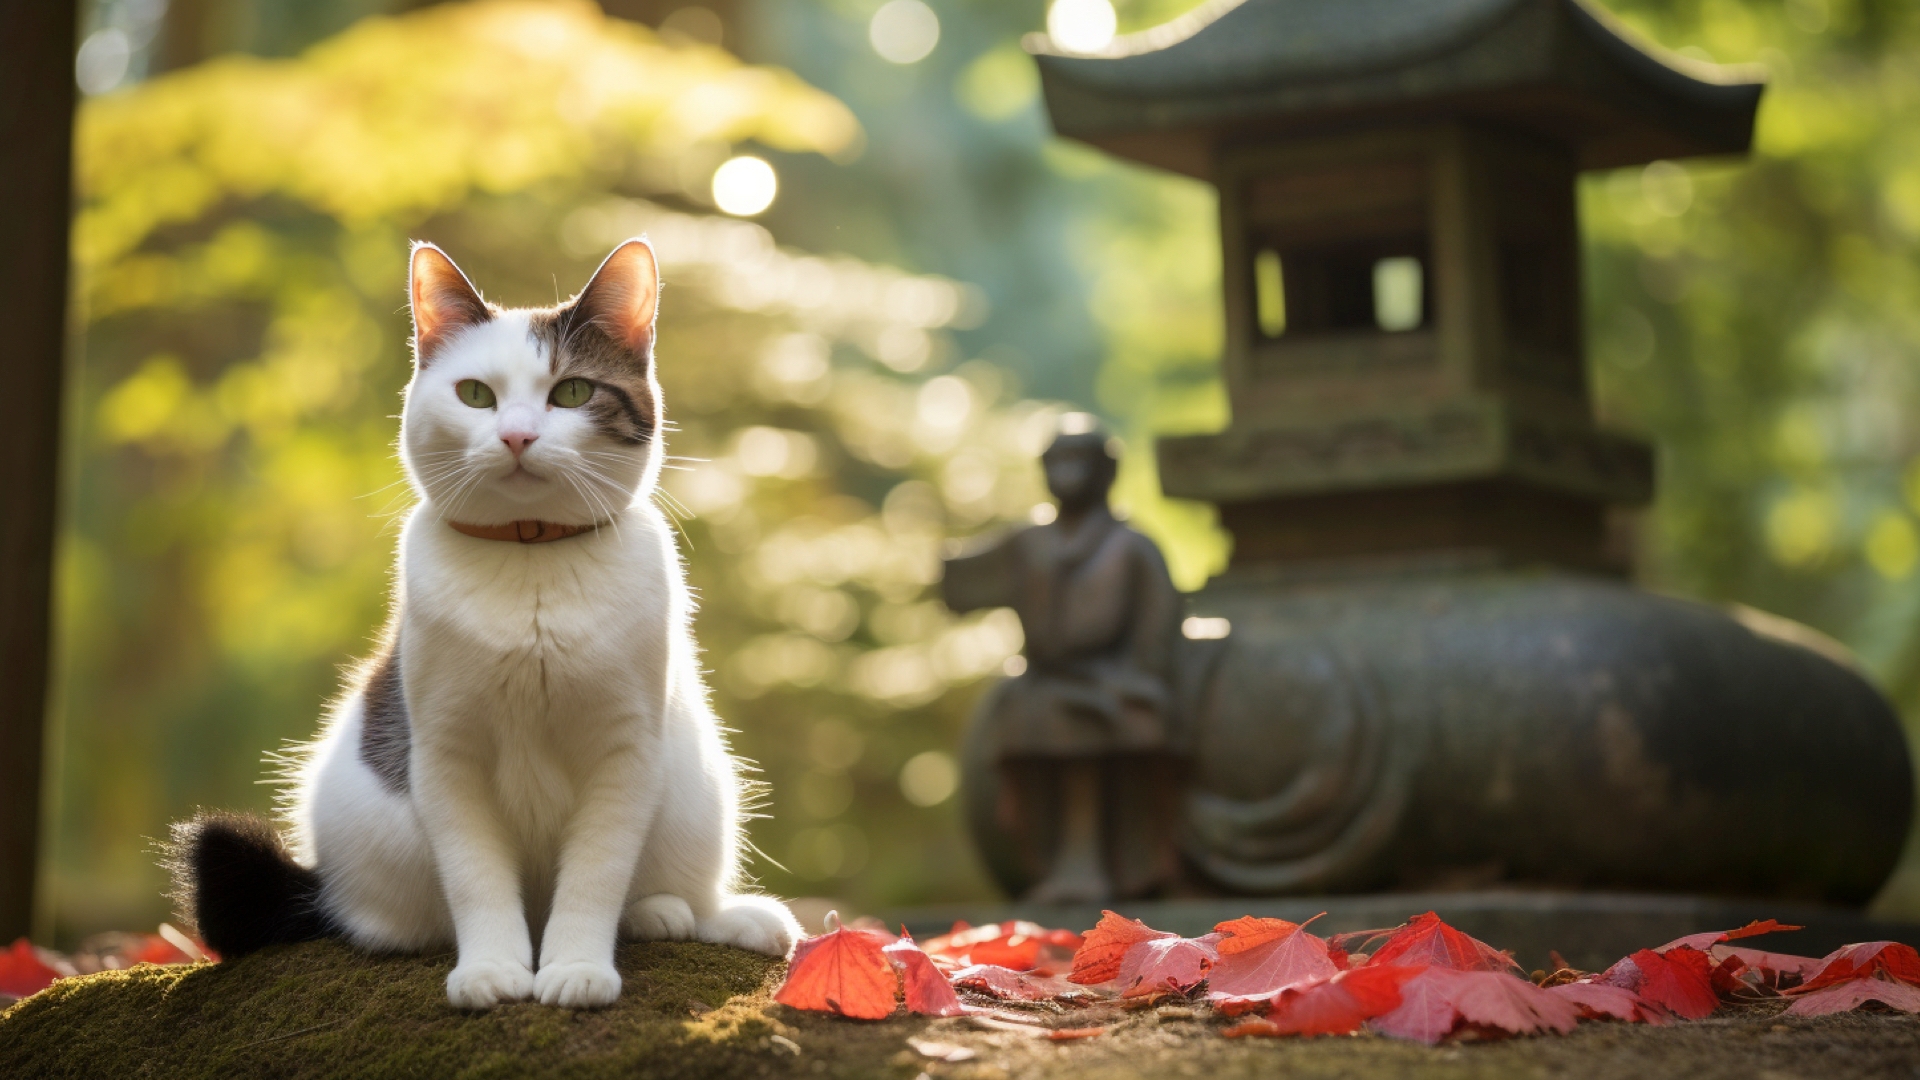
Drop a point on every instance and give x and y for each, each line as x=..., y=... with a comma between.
x=1760, y=320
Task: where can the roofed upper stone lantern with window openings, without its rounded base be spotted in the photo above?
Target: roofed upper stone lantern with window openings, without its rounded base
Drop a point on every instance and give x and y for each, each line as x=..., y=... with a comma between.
x=1403, y=260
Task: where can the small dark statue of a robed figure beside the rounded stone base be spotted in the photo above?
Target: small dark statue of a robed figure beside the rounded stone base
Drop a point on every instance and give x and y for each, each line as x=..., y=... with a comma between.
x=1084, y=735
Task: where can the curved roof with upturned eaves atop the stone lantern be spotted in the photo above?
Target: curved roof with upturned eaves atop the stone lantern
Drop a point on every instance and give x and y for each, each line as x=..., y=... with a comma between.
x=1249, y=70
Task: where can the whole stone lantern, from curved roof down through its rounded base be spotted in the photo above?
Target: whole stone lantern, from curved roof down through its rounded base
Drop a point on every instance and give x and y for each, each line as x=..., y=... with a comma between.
x=1424, y=666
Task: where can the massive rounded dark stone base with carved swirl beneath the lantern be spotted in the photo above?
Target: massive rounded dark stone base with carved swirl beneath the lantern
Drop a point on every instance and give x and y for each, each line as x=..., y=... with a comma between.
x=1477, y=729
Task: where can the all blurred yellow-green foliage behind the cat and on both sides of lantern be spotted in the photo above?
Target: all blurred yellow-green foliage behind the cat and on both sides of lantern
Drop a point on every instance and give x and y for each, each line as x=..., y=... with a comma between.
x=241, y=282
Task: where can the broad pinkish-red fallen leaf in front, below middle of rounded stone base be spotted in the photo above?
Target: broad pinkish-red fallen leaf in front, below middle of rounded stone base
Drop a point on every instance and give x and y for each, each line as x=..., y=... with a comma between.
x=1439, y=1000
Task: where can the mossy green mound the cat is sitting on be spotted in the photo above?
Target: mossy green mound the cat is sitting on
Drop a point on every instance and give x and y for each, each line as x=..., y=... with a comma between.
x=325, y=1010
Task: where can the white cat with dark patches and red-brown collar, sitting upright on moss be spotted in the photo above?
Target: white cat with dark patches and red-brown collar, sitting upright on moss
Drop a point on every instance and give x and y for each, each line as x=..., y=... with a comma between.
x=533, y=743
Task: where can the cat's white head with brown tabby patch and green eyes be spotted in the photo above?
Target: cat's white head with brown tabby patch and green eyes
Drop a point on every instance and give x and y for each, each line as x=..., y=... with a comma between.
x=542, y=414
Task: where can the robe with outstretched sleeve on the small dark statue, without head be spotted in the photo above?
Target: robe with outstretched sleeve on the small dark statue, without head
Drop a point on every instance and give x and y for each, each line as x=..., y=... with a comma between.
x=1101, y=620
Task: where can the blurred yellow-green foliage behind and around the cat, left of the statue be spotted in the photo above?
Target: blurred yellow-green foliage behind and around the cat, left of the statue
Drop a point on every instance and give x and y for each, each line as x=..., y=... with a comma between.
x=241, y=257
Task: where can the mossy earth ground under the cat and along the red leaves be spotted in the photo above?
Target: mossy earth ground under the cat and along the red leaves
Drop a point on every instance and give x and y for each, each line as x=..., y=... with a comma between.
x=696, y=1012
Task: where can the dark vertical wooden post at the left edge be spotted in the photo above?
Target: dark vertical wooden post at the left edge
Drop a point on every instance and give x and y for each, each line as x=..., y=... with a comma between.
x=36, y=207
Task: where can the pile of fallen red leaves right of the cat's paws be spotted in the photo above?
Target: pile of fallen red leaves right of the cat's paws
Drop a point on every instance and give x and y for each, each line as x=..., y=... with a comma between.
x=1422, y=981
